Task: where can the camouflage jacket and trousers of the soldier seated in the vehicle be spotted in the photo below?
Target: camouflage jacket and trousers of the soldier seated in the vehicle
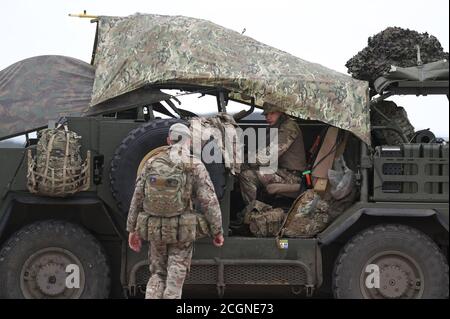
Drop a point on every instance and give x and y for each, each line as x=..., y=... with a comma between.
x=291, y=161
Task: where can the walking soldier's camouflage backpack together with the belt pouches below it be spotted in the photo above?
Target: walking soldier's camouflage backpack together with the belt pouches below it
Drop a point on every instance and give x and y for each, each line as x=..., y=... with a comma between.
x=168, y=214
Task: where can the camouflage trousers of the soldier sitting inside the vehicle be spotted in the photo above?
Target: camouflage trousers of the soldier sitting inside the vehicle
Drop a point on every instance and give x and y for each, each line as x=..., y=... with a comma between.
x=252, y=179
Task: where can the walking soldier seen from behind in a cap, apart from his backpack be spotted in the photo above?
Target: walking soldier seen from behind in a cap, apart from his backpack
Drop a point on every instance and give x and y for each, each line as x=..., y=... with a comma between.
x=170, y=262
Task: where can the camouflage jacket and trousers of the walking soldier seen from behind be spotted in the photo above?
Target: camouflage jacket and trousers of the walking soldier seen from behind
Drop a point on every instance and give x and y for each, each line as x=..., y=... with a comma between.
x=169, y=263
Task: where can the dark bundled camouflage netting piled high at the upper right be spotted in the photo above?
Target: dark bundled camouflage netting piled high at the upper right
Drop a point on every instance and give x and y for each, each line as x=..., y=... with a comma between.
x=393, y=46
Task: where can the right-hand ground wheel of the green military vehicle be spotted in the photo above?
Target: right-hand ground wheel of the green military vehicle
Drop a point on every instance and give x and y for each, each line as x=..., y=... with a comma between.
x=409, y=264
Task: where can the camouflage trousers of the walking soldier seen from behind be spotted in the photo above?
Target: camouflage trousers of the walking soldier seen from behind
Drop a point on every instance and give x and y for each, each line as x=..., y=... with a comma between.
x=169, y=265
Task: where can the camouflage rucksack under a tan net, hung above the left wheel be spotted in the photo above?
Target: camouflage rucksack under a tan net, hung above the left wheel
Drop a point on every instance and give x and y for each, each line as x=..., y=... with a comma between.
x=58, y=169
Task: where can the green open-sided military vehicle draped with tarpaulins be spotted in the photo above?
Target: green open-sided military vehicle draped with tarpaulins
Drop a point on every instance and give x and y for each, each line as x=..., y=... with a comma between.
x=397, y=229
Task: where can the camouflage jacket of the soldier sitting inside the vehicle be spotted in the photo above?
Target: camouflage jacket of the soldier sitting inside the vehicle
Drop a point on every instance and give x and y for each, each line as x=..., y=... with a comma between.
x=291, y=149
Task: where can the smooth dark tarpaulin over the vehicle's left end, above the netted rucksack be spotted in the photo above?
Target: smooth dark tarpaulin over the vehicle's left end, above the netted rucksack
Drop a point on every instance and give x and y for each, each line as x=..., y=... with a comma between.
x=42, y=88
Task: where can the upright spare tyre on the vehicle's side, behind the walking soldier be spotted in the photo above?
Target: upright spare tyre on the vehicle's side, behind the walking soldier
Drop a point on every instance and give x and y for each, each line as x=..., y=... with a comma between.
x=138, y=143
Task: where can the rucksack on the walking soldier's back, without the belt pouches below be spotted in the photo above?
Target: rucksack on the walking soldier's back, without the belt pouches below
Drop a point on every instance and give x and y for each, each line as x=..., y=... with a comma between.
x=167, y=187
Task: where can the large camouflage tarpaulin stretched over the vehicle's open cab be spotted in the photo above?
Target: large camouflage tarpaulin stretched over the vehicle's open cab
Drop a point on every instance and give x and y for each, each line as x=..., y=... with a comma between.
x=141, y=49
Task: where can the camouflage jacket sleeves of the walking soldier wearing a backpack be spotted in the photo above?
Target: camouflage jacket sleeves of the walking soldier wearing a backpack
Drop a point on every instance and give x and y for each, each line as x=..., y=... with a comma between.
x=203, y=194
